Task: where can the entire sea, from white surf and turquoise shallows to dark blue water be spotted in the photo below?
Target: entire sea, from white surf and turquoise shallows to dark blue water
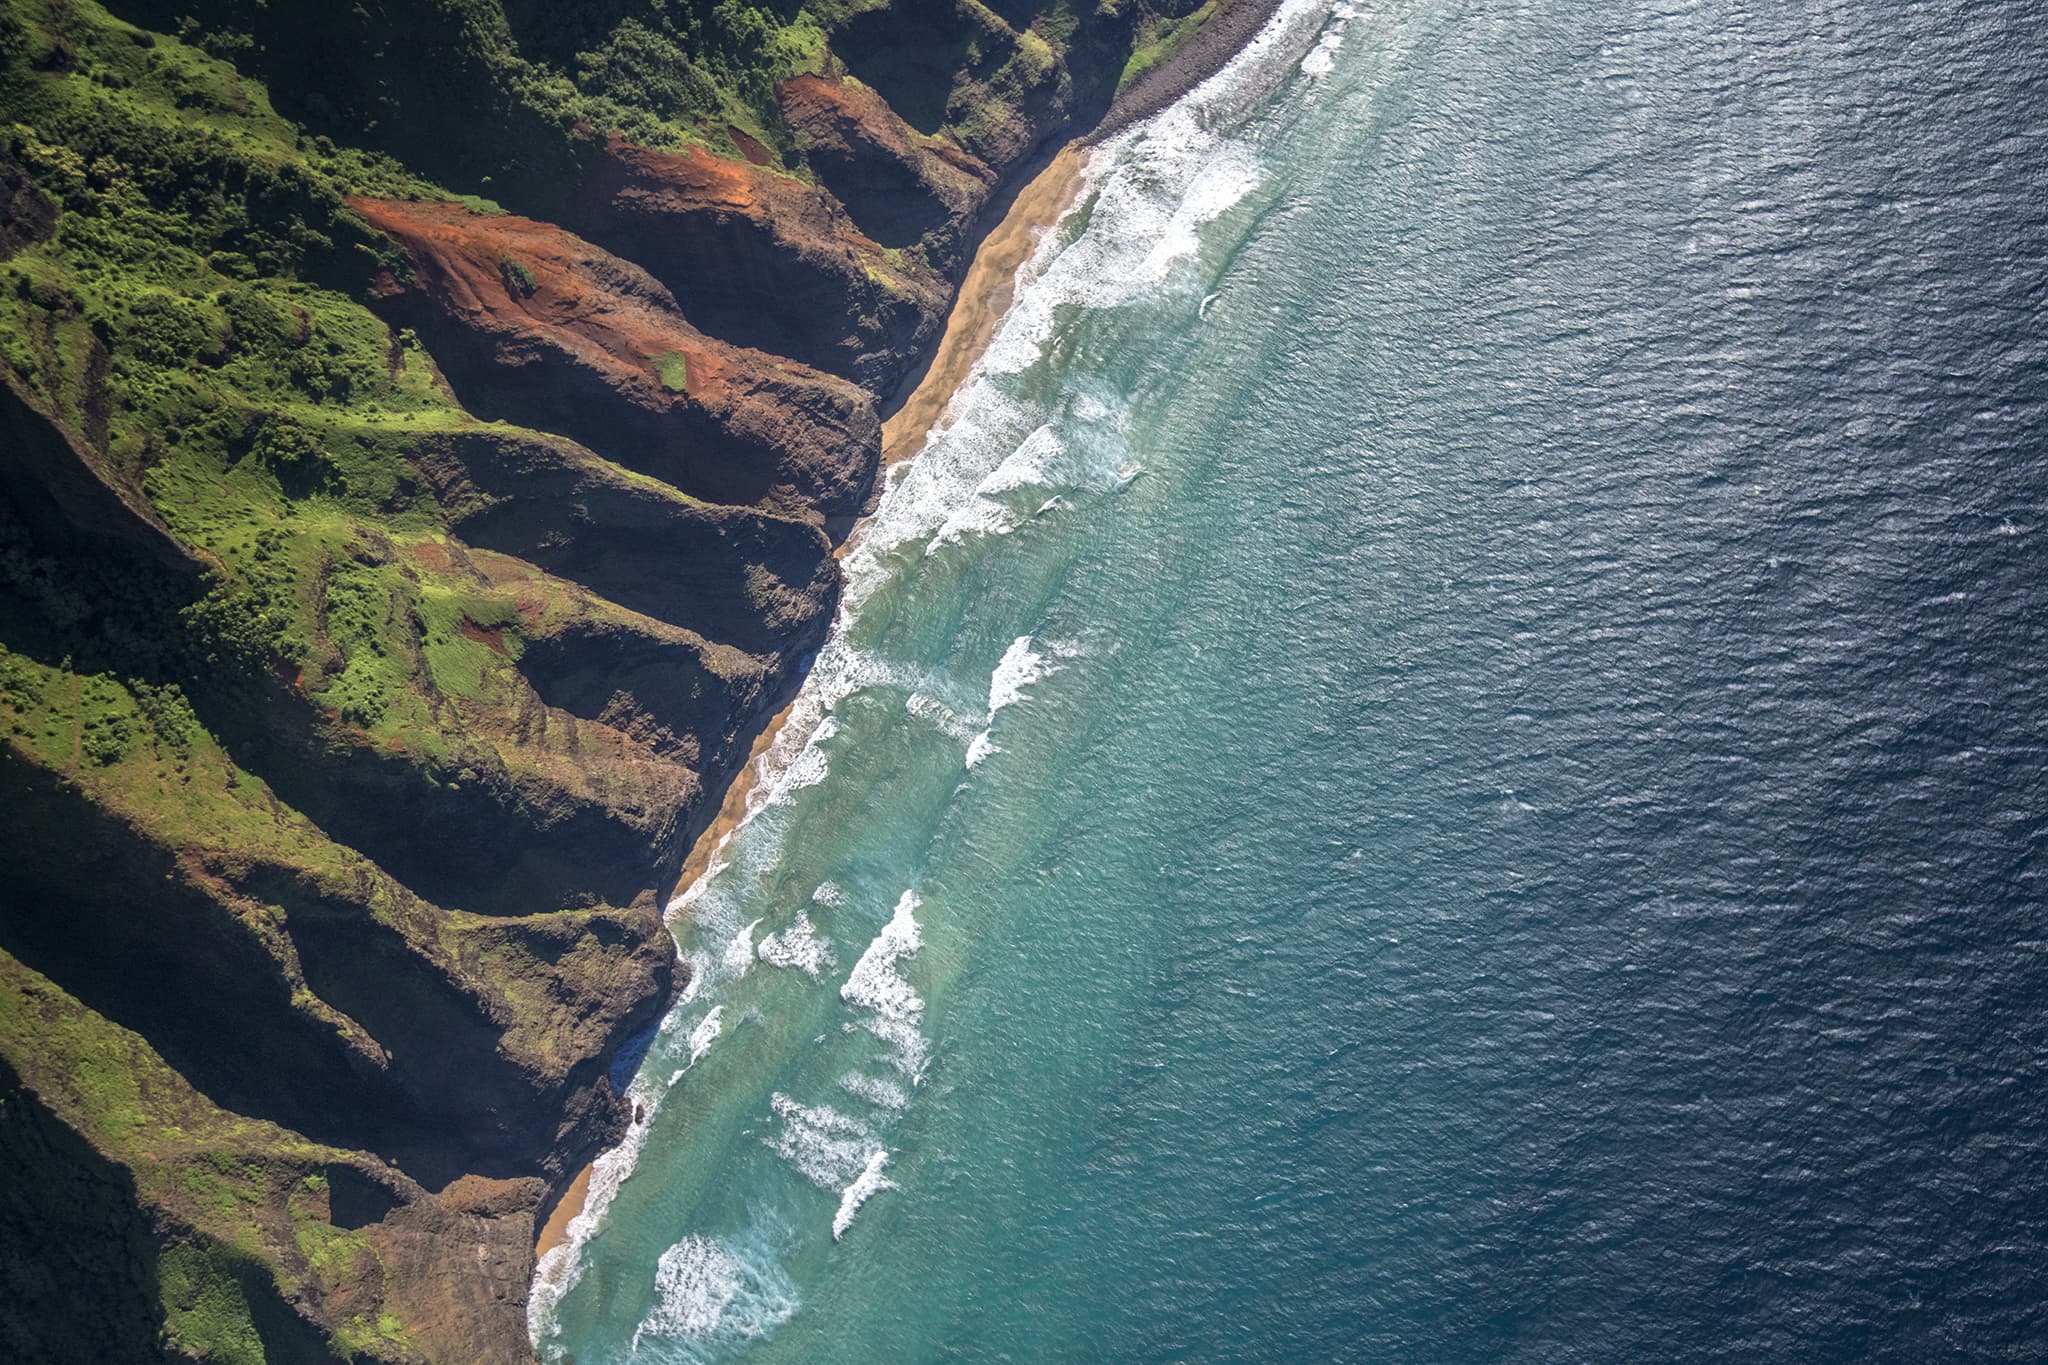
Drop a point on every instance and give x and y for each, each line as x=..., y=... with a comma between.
x=1443, y=764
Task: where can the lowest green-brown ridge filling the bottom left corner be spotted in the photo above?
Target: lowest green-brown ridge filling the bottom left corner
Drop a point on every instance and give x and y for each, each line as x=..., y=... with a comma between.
x=337, y=1256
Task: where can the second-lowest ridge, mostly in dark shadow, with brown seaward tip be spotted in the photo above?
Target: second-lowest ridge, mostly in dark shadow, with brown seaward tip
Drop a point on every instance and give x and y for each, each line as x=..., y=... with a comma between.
x=331, y=1000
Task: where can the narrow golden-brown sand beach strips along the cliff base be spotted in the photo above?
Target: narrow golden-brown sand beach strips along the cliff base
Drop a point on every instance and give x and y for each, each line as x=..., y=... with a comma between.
x=978, y=310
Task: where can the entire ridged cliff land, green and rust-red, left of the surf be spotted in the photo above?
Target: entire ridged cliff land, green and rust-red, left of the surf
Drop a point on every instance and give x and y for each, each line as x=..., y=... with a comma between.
x=425, y=433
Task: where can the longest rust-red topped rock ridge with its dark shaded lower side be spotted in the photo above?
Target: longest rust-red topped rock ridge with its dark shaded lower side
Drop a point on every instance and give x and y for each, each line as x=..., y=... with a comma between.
x=538, y=326
